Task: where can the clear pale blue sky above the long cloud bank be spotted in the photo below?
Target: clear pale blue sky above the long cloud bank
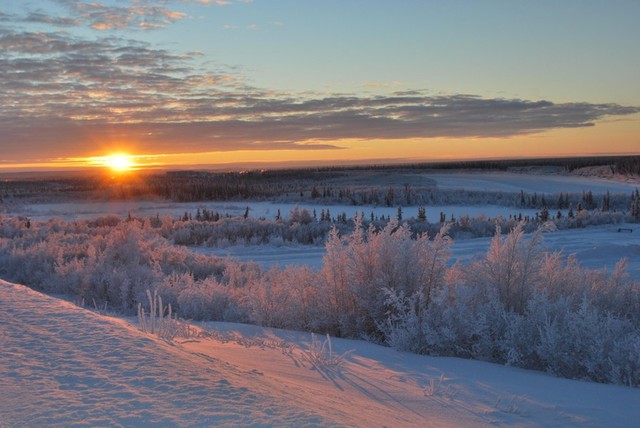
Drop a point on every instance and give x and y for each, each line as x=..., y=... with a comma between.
x=556, y=50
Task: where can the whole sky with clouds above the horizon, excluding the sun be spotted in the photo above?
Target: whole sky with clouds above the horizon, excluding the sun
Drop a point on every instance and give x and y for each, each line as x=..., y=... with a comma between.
x=294, y=82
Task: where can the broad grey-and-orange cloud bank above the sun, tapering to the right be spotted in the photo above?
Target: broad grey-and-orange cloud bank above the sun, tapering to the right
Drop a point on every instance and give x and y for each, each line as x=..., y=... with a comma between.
x=64, y=95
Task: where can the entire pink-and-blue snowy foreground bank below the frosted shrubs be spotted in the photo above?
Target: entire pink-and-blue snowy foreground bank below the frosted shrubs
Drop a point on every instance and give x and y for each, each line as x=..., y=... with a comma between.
x=61, y=365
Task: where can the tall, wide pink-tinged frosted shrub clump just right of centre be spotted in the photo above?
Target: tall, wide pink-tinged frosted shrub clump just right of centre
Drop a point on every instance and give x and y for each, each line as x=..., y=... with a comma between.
x=361, y=269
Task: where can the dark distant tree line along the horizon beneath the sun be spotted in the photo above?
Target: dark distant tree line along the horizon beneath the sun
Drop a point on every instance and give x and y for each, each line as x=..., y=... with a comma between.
x=327, y=184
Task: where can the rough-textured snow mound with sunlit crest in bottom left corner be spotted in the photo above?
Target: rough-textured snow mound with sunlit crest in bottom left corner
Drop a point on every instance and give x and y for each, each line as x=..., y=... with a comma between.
x=61, y=365
